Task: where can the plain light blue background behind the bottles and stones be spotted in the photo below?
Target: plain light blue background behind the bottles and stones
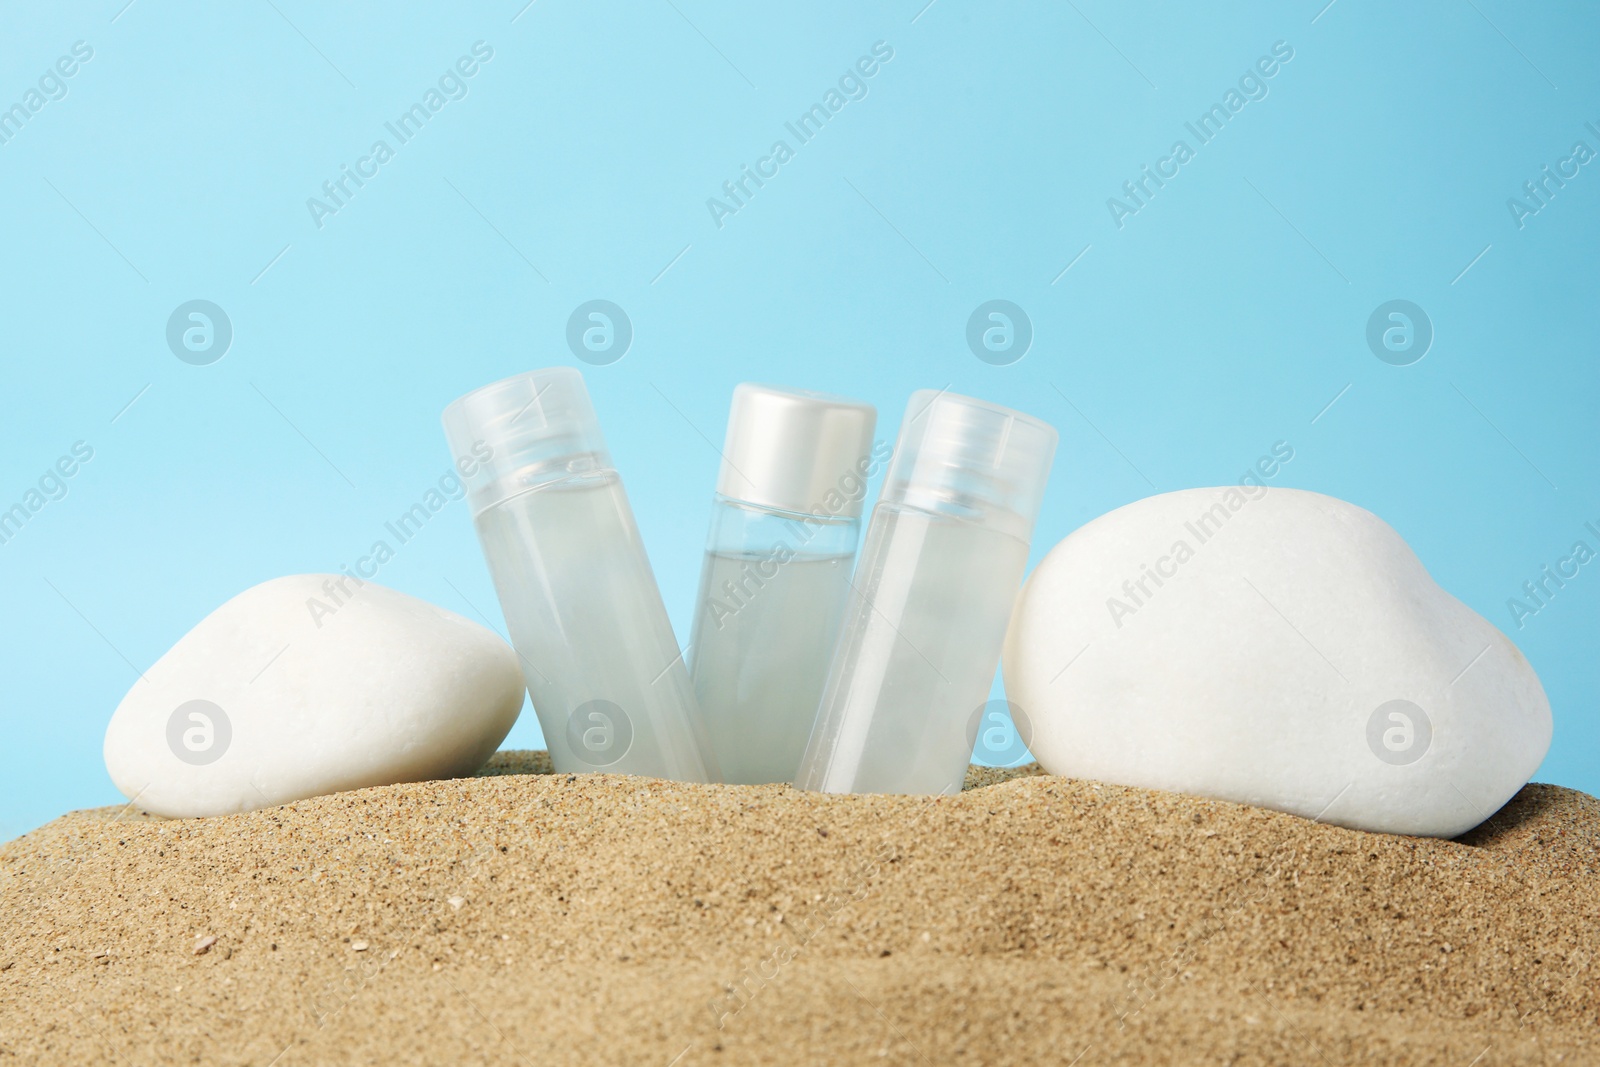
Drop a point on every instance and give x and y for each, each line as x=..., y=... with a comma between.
x=1223, y=318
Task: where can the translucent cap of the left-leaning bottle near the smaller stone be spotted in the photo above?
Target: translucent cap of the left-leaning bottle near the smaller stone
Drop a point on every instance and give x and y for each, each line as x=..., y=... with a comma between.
x=522, y=433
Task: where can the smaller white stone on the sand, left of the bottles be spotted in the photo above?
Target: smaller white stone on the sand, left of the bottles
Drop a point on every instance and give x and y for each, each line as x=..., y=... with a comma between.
x=298, y=689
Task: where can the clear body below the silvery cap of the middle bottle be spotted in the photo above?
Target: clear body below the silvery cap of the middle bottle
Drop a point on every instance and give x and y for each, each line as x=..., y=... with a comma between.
x=772, y=597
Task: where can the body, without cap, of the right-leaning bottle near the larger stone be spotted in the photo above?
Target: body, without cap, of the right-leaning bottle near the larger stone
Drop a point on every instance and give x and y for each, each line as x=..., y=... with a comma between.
x=918, y=655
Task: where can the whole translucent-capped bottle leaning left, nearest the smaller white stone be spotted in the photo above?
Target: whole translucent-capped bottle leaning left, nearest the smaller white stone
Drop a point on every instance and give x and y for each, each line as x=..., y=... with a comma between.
x=585, y=613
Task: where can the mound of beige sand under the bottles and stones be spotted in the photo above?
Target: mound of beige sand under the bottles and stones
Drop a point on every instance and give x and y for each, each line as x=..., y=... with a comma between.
x=526, y=917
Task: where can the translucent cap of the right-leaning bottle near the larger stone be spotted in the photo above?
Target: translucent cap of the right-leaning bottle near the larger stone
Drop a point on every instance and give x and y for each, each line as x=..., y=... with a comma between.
x=970, y=457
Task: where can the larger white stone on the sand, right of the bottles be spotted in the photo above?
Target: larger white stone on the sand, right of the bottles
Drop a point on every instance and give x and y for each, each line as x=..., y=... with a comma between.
x=1260, y=665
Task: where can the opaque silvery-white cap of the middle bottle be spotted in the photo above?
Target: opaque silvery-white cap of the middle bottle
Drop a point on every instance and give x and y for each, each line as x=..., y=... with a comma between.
x=793, y=449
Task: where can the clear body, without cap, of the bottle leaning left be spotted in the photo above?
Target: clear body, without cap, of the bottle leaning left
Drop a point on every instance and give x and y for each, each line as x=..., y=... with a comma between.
x=588, y=621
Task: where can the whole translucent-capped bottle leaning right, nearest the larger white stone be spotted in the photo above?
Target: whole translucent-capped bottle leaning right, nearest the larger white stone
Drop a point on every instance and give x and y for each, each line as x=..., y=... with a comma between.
x=932, y=599
